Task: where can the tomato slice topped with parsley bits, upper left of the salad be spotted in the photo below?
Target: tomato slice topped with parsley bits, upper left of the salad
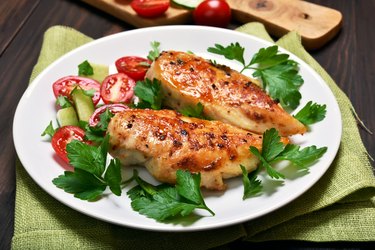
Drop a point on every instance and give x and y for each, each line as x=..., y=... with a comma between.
x=65, y=85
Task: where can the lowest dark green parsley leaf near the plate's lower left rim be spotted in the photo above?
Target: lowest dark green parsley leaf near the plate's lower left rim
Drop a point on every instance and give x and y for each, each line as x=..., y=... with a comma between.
x=82, y=184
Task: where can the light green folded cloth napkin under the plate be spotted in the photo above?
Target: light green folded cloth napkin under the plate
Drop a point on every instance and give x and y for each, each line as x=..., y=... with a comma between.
x=339, y=207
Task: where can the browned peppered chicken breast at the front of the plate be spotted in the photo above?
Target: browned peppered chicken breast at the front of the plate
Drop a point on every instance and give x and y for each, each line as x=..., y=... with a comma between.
x=165, y=141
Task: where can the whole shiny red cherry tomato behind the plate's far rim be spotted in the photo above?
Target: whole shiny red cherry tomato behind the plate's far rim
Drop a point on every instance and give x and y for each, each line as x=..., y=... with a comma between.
x=212, y=13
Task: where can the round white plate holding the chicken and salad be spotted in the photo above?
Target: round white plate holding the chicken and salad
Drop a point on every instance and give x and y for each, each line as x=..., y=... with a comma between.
x=36, y=109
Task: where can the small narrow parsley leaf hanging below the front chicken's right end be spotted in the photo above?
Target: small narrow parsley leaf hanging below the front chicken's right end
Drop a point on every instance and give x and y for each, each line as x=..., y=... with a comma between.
x=252, y=185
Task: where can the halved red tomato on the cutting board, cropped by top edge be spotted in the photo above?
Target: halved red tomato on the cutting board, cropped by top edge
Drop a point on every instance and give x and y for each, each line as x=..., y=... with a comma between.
x=150, y=8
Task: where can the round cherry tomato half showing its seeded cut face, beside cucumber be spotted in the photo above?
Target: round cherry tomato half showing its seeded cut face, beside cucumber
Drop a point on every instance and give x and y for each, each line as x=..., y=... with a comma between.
x=117, y=88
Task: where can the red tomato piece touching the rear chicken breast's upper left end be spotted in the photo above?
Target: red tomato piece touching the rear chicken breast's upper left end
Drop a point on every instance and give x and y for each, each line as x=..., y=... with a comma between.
x=134, y=66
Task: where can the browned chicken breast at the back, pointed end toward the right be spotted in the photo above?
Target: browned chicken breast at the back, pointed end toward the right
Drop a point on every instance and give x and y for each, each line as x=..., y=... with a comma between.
x=226, y=94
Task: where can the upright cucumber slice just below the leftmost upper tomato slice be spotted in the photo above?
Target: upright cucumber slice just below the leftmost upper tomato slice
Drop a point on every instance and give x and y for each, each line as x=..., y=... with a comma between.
x=83, y=104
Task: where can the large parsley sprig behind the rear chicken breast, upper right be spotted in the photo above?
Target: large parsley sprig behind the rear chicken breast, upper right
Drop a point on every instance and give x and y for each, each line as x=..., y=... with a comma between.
x=278, y=73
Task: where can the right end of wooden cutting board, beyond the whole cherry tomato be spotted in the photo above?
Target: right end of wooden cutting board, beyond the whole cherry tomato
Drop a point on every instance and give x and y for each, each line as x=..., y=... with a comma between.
x=315, y=23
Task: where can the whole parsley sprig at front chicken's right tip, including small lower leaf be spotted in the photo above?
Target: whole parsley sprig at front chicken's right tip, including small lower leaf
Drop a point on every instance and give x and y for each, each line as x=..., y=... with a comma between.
x=273, y=150
